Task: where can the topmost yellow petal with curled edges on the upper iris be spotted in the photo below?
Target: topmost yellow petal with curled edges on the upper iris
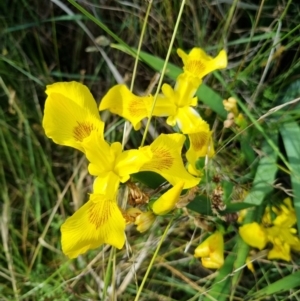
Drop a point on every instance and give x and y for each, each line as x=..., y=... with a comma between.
x=198, y=64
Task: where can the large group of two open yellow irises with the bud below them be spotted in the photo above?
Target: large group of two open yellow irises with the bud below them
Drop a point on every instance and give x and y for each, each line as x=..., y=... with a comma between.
x=71, y=118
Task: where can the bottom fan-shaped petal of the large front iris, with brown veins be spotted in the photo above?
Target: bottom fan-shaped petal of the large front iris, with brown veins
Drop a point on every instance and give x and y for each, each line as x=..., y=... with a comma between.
x=97, y=222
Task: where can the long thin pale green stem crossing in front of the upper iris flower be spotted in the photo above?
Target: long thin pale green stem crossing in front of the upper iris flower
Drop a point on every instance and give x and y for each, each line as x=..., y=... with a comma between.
x=164, y=69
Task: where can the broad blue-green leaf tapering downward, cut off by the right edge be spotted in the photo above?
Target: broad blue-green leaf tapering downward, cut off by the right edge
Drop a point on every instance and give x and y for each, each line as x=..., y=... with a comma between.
x=290, y=133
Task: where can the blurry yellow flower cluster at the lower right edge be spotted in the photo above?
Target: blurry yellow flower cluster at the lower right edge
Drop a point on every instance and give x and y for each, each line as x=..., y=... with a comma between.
x=278, y=231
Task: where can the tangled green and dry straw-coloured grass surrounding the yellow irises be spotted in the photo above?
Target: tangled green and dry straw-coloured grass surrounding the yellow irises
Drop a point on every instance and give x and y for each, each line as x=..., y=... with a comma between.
x=41, y=183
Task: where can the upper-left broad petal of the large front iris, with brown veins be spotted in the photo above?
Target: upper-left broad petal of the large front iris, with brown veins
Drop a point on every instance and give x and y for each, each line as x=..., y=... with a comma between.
x=70, y=114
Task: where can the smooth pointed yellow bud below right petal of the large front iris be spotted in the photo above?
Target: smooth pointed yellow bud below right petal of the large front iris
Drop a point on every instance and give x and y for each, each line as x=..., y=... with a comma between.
x=168, y=200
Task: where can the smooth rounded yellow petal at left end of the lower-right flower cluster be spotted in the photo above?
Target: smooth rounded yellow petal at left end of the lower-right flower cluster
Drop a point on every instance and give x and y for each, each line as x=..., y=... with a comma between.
x=254, y=235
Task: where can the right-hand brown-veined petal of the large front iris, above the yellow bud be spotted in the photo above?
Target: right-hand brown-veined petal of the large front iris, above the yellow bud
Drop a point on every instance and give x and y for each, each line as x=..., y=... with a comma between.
x=165, y=159
